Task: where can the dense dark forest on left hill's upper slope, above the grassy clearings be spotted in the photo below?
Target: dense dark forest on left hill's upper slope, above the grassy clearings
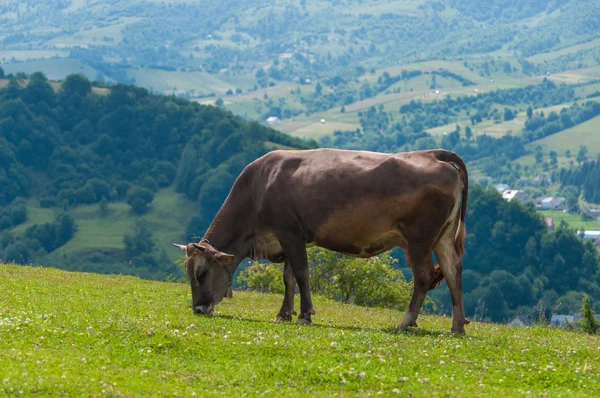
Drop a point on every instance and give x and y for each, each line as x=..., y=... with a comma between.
x=122, y=143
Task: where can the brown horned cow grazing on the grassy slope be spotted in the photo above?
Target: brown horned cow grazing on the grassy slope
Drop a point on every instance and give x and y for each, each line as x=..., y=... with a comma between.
x=353, y=202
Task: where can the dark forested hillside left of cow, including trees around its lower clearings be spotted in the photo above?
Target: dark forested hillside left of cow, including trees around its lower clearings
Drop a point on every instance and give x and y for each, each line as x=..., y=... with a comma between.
x=81, y=146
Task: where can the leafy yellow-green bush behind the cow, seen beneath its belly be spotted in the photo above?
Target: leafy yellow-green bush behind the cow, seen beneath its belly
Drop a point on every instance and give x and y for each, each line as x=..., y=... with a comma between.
x=370, y=282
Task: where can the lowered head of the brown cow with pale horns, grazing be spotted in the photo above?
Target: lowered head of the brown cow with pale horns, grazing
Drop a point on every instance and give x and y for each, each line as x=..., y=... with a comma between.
x=209, y=276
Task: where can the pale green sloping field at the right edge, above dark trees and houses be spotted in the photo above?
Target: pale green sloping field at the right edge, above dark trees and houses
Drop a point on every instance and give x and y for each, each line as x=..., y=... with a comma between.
x=587, y=134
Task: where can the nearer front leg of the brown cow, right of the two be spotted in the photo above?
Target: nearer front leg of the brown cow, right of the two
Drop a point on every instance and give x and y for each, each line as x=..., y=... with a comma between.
x=296, y=254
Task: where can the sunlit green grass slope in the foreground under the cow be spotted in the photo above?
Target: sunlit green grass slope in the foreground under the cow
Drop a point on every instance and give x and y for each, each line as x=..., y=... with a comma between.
x=74, y=334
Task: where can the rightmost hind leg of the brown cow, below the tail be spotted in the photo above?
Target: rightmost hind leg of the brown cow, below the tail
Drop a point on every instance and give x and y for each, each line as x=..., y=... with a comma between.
x=451, y=267
